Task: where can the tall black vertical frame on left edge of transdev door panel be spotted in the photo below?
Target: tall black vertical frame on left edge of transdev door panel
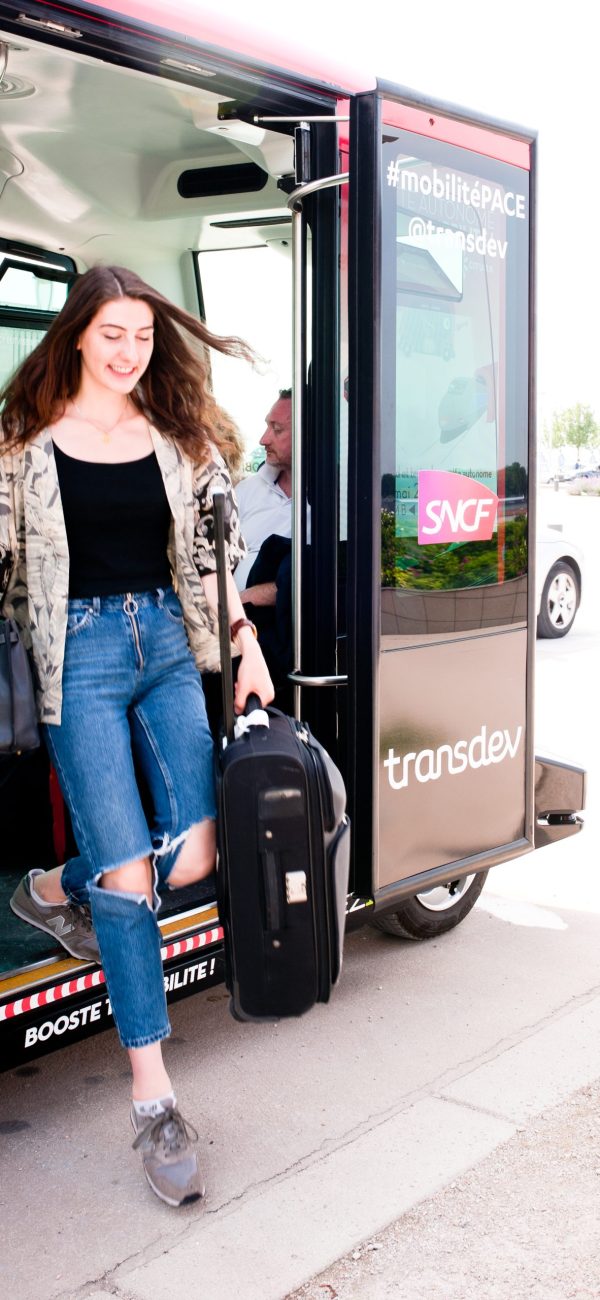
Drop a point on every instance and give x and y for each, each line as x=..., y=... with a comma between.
x=364, y=491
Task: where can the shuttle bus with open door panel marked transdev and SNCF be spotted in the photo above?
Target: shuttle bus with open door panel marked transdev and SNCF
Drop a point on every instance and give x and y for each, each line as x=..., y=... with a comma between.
x=376, y=248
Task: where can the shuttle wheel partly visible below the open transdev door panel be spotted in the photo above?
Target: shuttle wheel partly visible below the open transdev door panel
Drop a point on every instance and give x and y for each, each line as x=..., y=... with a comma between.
x=434, y=911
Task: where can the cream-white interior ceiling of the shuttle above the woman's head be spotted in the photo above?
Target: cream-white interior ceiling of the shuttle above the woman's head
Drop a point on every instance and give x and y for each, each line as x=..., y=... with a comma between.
x=94, y=149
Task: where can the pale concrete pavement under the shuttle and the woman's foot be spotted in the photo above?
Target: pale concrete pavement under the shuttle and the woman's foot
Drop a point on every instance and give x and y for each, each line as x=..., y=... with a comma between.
x=323, y=1133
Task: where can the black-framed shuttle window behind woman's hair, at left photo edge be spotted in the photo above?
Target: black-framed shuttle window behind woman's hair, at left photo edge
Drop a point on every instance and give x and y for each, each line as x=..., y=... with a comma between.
x=29, y=301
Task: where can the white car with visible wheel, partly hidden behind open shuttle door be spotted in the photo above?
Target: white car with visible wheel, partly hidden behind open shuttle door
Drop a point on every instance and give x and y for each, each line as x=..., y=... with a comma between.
x=558, y=583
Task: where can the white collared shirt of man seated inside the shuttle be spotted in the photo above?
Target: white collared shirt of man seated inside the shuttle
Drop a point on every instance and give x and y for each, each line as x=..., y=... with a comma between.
x=264, y=509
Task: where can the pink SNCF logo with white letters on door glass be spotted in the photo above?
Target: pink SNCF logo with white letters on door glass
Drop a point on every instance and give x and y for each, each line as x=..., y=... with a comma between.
x=454, y=509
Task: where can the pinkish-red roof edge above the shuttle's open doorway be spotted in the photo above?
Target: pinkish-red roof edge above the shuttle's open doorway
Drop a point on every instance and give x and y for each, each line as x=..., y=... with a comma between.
x=234, y=38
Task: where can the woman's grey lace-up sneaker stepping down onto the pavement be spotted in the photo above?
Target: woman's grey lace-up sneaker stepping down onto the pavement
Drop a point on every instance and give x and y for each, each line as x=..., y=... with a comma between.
x=169, y=1163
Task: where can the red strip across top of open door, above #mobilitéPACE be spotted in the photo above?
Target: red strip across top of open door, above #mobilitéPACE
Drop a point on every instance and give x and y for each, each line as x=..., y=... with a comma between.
x=467, y=136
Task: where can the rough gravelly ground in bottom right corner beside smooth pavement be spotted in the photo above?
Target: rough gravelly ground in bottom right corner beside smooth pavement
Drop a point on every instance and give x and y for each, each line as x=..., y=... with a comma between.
x=523, y=1224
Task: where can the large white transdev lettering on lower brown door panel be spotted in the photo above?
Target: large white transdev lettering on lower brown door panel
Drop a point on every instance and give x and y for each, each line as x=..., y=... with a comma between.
x=429, y=765
